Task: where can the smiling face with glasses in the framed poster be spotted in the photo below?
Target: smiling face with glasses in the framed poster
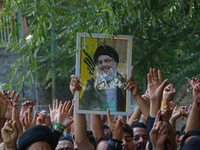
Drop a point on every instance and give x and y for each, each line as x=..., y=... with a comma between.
x=105, y=63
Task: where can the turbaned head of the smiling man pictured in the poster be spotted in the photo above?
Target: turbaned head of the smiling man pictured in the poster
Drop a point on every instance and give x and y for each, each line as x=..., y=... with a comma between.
x=106, y=58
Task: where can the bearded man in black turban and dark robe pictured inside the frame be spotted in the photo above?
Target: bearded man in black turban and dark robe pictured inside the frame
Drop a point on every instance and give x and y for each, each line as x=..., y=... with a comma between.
x=106, y=89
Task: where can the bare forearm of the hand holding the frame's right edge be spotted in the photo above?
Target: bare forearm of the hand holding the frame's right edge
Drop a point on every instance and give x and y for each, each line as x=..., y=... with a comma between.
x=144, y=107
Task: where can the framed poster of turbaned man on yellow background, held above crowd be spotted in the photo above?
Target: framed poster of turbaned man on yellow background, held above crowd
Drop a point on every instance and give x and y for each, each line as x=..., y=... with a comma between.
x=103, y=63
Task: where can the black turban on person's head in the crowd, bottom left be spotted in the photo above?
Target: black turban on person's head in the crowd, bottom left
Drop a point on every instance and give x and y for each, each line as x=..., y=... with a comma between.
x=37, y=133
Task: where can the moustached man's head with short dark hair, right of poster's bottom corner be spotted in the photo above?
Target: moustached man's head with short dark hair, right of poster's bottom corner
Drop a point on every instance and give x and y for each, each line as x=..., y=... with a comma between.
x=139, y=135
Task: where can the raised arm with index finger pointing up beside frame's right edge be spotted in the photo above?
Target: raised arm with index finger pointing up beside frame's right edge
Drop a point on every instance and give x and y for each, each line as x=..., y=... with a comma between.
x=132, y=85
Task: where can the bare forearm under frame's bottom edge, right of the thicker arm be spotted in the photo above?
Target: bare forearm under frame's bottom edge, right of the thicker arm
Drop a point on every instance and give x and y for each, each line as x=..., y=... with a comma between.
x=96, y=126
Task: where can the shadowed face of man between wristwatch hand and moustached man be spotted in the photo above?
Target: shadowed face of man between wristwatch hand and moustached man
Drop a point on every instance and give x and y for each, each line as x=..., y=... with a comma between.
x=127, y=141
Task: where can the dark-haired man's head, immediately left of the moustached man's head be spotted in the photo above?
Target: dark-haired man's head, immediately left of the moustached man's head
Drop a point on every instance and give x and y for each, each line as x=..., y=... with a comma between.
x=127, y=138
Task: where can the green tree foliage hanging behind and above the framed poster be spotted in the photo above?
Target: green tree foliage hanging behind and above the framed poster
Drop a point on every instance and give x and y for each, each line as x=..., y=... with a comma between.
x=166, y=35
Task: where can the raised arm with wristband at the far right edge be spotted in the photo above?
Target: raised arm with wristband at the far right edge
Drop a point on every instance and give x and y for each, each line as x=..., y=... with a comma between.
x=193, y=120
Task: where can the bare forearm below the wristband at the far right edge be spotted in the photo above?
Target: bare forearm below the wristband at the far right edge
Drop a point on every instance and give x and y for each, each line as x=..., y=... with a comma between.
x=193, y=120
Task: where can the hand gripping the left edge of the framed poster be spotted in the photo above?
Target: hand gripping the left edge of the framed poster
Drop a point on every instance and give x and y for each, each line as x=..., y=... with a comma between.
x=74, y=84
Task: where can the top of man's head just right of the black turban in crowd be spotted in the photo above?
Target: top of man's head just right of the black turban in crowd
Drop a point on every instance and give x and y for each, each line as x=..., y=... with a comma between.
x=65, y=143
